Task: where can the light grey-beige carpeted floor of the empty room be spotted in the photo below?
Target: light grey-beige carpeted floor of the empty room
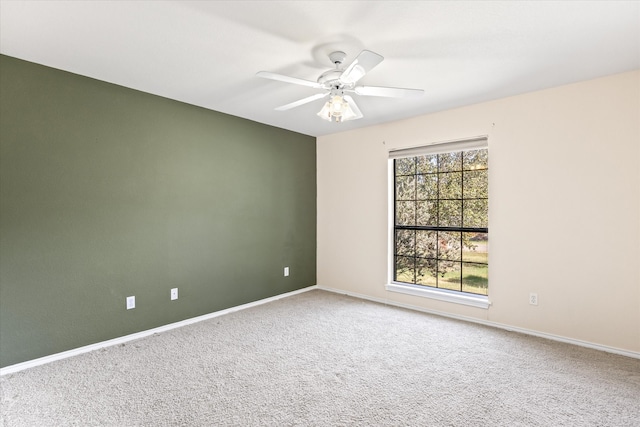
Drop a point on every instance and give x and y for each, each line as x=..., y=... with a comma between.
x=321, y=359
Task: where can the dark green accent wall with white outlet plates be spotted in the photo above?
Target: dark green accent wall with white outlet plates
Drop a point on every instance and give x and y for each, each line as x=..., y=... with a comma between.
x=107, y=192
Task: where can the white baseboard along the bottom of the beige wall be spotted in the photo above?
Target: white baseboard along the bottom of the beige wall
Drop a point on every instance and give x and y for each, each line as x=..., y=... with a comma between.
x=622, y=352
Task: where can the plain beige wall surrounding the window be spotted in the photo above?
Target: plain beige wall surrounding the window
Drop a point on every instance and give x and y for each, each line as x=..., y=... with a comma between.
x=564, y=213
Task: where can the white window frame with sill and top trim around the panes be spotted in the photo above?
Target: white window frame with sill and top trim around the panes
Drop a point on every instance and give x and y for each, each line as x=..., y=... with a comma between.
x=480, y=301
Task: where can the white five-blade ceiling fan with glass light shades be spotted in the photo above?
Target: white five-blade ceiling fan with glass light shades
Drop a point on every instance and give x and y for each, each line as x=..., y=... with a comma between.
x=338, y=83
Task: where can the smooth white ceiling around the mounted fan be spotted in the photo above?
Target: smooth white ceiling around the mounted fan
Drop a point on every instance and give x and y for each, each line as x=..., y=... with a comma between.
x=206, y=53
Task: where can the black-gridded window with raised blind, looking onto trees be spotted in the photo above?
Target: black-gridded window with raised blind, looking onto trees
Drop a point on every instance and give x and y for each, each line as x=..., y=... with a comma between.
x=440, y=228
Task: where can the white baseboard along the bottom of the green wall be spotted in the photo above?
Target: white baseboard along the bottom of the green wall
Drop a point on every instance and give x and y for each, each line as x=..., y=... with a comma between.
x=80, y=350
